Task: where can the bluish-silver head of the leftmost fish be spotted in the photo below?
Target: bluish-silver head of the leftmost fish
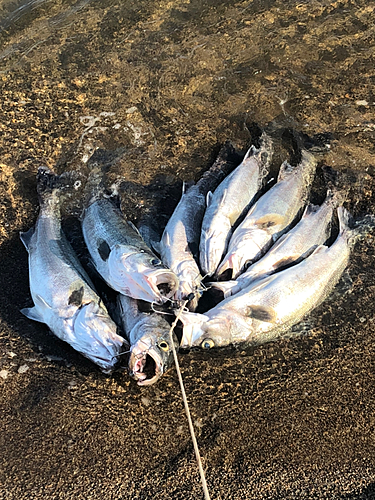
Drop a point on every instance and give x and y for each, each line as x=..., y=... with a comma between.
x=95, y=335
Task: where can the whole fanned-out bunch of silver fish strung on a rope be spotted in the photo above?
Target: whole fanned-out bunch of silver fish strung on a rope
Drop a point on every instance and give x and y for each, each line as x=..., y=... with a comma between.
x=271, y=242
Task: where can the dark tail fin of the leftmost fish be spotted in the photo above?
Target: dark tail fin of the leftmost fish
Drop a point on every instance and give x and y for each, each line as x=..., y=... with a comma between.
x=52, y=188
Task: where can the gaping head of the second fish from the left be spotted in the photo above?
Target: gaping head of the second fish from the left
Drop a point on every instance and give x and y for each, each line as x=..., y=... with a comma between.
x=141, y=275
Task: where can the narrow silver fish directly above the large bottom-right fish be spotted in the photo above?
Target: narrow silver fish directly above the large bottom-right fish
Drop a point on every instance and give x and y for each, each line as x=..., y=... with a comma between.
x=312, y=230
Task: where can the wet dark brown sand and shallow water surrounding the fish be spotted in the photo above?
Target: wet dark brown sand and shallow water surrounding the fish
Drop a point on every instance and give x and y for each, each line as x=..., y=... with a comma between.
x=290, y=419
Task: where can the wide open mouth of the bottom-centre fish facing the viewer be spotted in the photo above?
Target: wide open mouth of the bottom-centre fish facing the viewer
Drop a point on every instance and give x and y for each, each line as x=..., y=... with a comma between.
x=145, y=366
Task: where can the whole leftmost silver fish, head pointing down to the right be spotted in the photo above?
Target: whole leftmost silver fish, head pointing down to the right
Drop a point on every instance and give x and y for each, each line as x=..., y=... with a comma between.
x=63, y=294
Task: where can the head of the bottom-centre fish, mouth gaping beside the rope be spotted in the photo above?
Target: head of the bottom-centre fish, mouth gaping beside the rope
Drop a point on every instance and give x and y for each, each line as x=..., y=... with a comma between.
x=152, y=354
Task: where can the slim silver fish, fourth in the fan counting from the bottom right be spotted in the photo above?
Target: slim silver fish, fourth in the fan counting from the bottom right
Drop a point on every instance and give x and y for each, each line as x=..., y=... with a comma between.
x=228, y=202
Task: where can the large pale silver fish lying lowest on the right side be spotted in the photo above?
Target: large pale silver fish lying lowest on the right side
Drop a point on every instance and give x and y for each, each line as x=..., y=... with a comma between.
x=272, y=305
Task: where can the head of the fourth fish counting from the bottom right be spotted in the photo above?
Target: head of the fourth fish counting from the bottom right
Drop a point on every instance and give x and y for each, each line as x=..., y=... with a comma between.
x=212, y=246
